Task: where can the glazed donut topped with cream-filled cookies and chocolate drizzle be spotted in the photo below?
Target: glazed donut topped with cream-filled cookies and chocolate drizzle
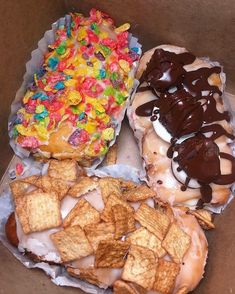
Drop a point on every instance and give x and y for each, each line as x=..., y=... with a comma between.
x=182, y=128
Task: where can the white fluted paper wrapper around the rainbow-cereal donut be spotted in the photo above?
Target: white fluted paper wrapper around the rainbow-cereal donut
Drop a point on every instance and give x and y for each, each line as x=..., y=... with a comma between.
x=32, y=67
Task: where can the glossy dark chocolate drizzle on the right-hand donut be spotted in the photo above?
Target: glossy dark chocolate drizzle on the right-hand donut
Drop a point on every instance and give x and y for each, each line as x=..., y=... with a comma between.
x=183, y=108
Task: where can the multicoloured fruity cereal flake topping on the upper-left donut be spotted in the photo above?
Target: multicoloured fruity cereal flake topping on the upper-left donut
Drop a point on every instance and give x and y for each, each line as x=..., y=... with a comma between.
x=85, y=81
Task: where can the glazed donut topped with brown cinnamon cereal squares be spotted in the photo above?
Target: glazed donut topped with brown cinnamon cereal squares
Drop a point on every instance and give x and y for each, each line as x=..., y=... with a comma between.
x=114, y=212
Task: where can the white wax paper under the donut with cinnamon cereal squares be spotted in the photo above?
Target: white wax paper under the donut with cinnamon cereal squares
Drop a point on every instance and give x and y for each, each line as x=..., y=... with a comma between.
x=57, y=273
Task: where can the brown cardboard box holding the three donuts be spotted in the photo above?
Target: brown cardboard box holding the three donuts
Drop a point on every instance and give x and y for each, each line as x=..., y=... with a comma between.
x=204, y=27
